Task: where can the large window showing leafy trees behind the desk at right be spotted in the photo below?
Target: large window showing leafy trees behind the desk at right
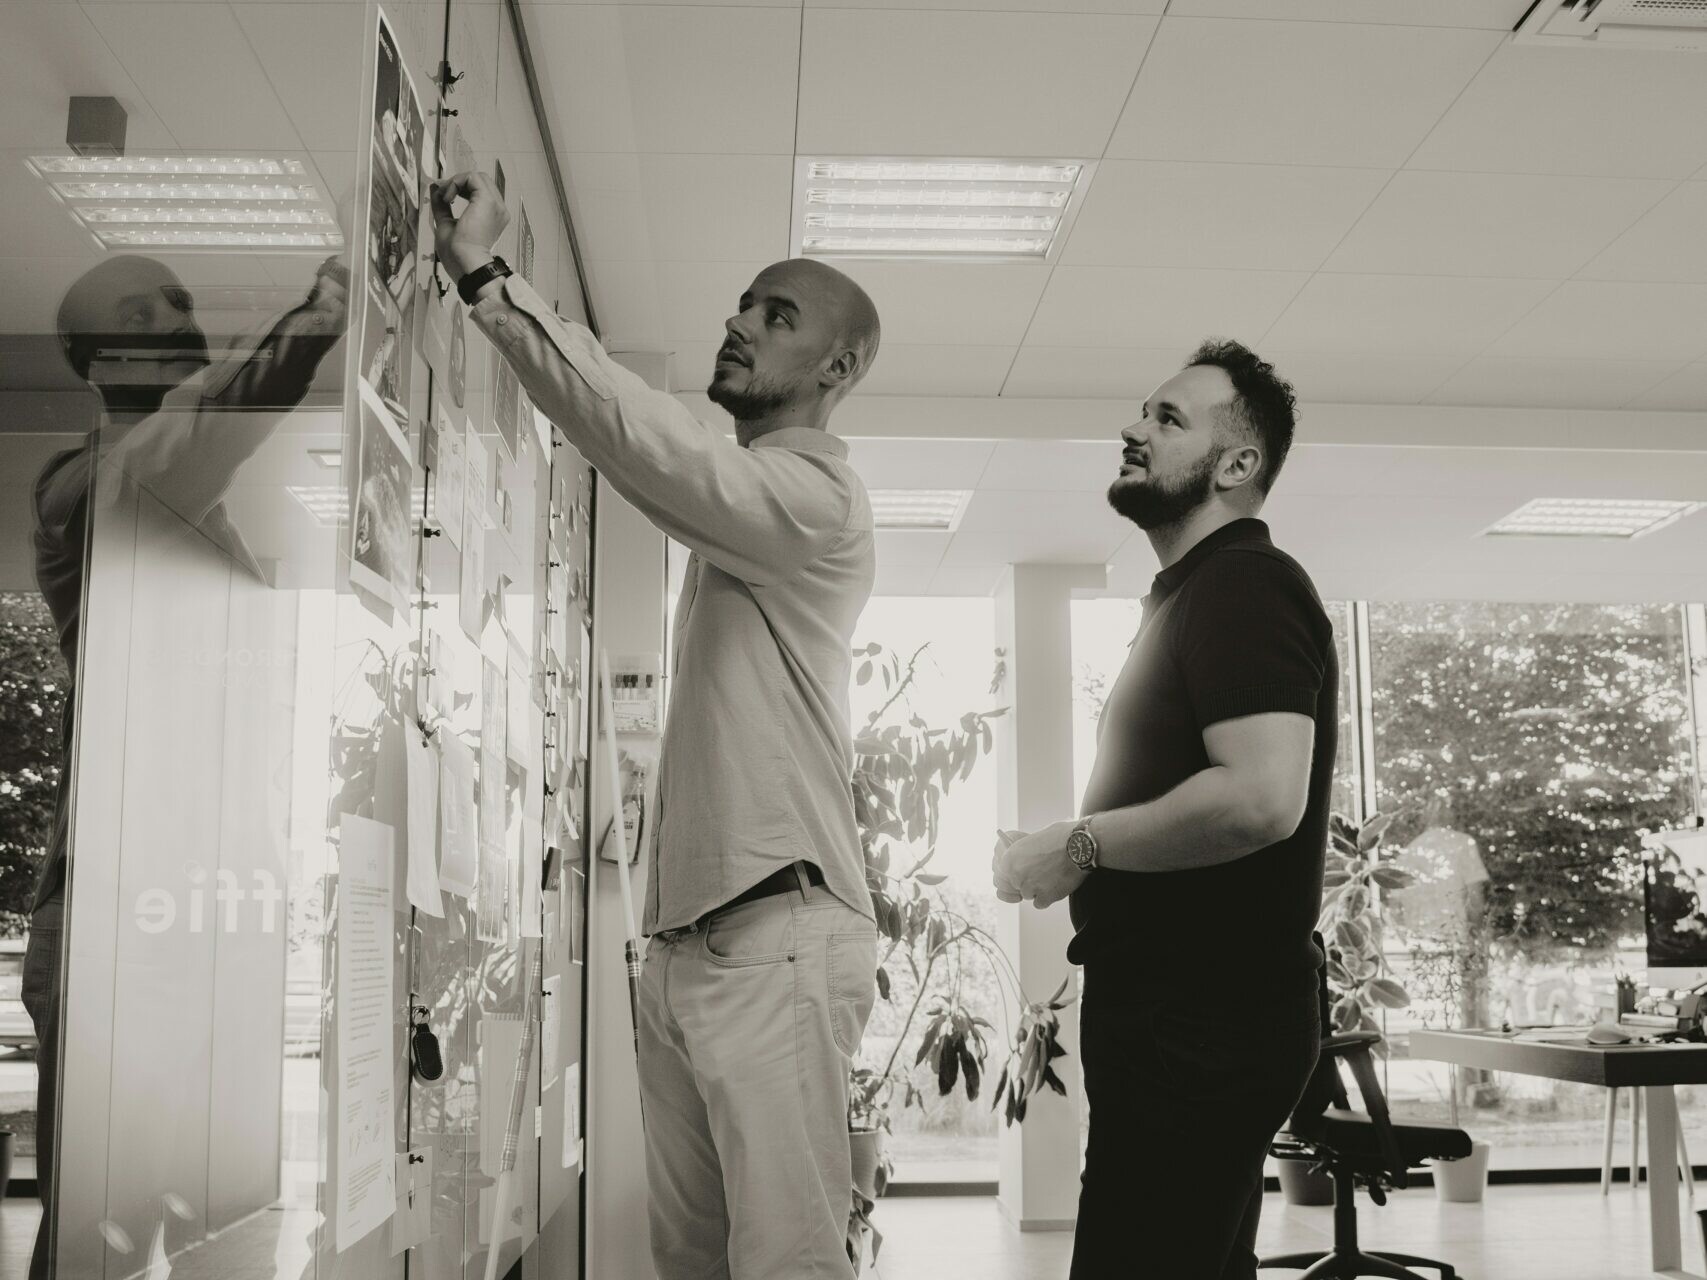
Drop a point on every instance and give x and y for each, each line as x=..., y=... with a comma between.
x=1527, y=750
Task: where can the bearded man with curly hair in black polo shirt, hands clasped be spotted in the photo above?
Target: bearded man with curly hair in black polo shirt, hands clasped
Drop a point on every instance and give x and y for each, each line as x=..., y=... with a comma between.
x=1196, y=866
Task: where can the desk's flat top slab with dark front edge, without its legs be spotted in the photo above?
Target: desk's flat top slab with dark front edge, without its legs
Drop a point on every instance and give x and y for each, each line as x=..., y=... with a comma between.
x=1614, y=1066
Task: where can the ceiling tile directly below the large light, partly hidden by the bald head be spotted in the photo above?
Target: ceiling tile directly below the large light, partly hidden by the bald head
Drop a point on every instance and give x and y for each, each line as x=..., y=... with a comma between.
x=947, y=305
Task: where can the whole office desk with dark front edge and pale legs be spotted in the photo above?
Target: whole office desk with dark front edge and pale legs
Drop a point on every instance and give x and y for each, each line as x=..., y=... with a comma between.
x=1653, y=1069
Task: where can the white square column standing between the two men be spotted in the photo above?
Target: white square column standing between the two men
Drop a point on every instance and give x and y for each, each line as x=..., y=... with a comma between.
x=1034, y=625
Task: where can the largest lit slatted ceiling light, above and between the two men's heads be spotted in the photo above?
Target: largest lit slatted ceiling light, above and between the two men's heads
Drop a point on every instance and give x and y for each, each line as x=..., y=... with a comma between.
x=953, y=211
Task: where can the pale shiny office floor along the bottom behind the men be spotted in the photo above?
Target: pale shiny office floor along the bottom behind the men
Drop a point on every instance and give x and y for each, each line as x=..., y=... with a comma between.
x=1518, y=1233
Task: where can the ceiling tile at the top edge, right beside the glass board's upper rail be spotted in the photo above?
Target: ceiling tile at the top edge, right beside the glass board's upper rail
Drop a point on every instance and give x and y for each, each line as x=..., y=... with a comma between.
x=655, y=79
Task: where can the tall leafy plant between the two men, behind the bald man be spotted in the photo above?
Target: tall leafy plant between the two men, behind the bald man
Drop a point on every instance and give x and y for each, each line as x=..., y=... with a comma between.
x=902, y=771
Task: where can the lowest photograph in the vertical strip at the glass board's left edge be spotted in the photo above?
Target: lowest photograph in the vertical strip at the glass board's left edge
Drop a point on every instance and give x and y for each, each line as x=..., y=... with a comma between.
x=382, y=549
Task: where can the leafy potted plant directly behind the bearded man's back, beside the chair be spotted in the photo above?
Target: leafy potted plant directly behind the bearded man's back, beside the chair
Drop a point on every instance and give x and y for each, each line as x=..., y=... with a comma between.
x=1360, y=980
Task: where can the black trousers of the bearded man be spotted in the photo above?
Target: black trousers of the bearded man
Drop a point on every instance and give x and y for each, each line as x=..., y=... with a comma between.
x=1184, y=1102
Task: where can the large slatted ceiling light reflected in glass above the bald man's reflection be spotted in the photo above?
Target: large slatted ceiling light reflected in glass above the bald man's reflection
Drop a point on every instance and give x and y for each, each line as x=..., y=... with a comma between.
x=194, y=202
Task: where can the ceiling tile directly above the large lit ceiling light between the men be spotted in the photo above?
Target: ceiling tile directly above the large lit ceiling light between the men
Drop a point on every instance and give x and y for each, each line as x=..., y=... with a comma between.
x=929, y=83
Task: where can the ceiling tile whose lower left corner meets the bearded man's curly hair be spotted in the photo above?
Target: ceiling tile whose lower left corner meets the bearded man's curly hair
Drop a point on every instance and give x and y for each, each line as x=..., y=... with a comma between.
x=1395, y=313
